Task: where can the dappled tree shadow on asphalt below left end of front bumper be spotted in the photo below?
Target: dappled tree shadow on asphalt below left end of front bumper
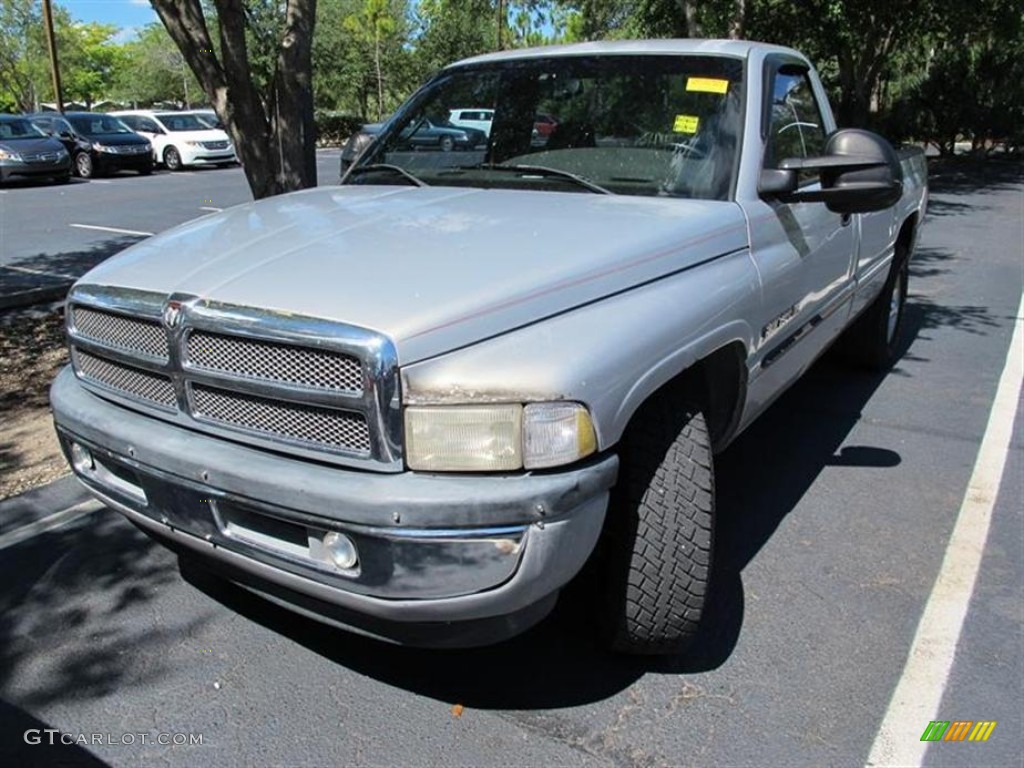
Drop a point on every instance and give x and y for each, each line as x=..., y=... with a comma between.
x=67, y=601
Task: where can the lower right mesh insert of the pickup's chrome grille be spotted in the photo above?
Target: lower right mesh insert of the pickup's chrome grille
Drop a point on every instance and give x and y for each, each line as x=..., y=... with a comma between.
x=323, y=428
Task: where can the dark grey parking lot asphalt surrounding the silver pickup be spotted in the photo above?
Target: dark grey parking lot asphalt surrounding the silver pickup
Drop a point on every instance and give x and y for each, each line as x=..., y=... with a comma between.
x=836, y=511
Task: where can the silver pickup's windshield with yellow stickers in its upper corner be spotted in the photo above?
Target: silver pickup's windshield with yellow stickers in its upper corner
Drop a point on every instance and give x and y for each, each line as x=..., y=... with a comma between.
x=651, y=125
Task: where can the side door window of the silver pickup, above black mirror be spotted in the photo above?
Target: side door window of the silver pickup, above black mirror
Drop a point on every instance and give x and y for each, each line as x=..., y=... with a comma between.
x=796, y=129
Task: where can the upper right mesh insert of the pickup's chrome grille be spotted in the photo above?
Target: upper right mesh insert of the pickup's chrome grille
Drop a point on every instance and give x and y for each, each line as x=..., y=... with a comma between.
x=317, y=369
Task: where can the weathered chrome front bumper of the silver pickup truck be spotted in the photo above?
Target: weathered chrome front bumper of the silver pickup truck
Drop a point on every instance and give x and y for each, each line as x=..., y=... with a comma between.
x=441, y=556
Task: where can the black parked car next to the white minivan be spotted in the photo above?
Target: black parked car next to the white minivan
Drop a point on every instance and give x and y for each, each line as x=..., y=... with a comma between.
x=99, y=144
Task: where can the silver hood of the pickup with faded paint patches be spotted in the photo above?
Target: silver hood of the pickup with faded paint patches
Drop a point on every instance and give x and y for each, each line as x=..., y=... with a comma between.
x=435, y=269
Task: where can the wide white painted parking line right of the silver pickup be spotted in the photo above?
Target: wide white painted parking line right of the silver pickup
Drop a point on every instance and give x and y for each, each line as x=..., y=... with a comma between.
x=919, y=694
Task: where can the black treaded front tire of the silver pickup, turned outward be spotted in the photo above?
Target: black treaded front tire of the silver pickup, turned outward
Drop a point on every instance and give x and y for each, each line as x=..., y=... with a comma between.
x=660, y=536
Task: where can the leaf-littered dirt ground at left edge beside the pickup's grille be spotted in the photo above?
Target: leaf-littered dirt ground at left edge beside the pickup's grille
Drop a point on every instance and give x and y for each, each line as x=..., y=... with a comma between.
x=32, y=351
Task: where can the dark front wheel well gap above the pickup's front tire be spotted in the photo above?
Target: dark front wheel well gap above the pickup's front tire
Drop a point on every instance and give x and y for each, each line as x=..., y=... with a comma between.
x=718, y=386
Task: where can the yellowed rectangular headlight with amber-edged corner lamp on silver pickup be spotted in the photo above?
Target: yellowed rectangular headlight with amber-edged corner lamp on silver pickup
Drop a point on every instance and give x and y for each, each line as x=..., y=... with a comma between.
x=490, y=439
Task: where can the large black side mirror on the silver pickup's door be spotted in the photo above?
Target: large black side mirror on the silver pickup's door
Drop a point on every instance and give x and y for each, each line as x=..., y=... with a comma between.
x=861, y=174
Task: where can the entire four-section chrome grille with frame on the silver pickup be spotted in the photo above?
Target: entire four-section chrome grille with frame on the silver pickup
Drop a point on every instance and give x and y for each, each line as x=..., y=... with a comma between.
x=315, y=388
